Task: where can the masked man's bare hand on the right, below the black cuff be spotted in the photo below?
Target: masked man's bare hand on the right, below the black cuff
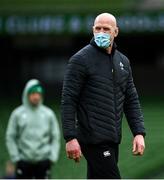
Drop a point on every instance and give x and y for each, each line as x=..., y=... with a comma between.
x=138, y=145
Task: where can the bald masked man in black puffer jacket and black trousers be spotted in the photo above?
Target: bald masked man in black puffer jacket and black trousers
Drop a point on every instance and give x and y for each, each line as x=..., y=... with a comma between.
x=98, y=88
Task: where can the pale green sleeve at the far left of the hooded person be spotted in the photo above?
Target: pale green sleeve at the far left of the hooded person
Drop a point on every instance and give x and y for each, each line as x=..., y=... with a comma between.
x=11, y=138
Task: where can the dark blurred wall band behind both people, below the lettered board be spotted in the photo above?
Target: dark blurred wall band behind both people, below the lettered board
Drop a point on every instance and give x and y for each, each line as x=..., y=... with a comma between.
x=45, y=58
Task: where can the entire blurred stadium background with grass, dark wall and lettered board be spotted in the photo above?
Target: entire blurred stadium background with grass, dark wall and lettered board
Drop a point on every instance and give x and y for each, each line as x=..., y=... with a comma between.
x=37, y=37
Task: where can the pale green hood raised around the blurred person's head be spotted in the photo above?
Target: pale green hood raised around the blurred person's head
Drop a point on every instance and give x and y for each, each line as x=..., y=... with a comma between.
x=29, y=85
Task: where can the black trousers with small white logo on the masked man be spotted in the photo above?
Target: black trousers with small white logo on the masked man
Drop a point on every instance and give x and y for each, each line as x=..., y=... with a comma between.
x=101, y=161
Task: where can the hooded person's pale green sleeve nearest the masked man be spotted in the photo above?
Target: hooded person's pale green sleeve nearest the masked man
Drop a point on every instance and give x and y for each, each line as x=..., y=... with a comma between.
x=55, y=138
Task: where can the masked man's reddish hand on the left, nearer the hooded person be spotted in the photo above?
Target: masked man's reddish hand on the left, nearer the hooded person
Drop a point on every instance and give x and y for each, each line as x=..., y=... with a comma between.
x=73, y=150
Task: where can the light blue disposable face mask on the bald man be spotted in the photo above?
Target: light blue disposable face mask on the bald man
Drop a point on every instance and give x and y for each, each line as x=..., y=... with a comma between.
x=102, y=40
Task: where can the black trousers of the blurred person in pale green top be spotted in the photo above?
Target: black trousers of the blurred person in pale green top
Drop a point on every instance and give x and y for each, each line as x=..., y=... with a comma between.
x=28, y=170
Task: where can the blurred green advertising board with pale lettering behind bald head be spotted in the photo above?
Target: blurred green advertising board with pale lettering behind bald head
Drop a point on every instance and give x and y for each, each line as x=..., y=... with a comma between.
x=77, y=24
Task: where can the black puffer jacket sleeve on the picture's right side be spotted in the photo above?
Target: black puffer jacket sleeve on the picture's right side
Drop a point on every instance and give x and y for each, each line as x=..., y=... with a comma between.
x=132, y=108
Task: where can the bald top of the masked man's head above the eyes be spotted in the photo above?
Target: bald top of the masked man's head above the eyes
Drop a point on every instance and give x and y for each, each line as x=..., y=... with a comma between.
x=106, y=18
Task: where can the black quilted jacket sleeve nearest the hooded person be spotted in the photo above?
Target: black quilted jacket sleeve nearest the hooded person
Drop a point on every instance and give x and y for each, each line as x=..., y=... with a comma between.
x=73, y=83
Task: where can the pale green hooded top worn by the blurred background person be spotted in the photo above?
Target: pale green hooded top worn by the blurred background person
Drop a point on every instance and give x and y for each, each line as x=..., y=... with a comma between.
x=33, y=132
